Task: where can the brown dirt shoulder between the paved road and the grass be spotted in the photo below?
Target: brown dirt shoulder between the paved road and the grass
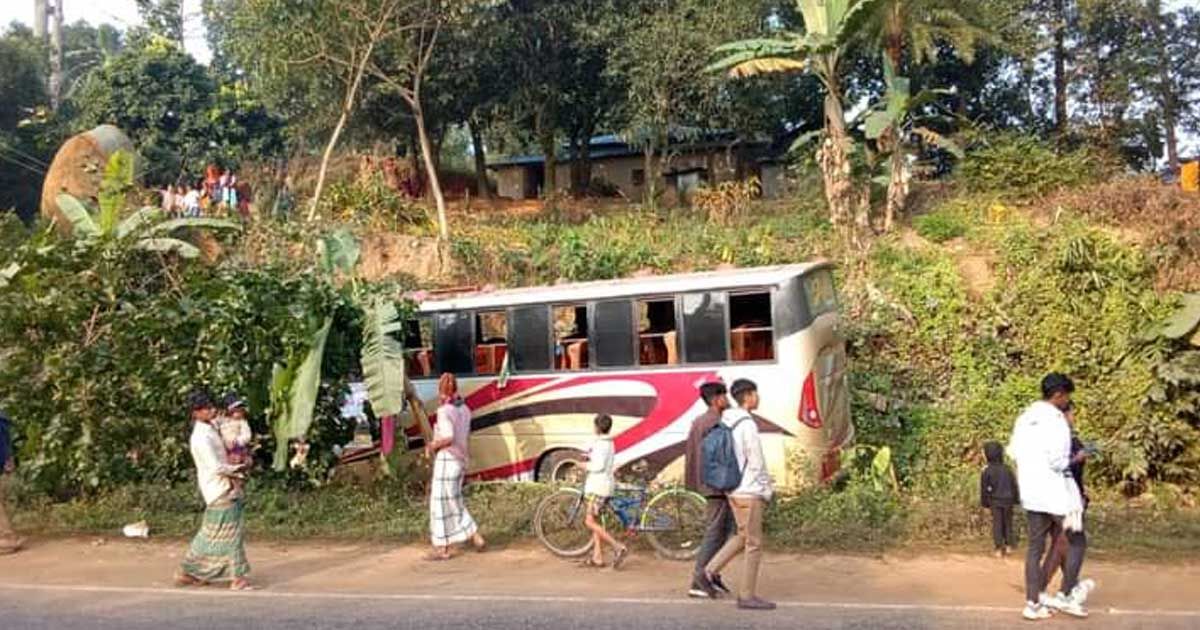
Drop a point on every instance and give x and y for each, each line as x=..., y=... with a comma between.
x=953, y=580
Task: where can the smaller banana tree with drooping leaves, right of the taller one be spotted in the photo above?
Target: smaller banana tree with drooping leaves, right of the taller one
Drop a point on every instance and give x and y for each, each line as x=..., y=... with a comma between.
x=891, y=124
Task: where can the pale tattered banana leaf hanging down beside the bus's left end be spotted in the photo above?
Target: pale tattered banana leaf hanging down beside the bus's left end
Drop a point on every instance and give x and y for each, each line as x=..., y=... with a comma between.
x=383, y=358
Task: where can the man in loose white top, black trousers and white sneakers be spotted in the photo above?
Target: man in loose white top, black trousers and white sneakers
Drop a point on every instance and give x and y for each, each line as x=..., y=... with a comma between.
x=1041, y=447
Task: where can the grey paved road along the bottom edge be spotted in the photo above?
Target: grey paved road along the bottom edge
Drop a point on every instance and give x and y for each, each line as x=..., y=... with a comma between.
x=82, y=608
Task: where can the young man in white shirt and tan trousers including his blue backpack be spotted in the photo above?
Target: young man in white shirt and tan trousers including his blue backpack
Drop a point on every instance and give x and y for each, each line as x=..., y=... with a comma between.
x=735, y=464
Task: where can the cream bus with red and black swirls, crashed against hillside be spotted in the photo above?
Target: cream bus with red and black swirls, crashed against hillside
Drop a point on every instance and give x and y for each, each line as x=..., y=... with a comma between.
x=536, y=365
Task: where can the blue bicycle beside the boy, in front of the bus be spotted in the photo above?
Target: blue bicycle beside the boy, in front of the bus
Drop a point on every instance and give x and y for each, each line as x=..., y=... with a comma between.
x=673, y=520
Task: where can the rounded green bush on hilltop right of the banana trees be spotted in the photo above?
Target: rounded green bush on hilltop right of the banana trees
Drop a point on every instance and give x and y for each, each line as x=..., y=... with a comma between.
x=1024, y=166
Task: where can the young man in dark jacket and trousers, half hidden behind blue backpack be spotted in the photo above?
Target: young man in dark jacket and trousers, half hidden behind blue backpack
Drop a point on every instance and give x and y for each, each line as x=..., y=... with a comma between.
x=719, y=520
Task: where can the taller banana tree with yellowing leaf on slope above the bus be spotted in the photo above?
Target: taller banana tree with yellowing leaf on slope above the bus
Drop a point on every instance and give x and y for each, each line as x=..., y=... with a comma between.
x=830, y=31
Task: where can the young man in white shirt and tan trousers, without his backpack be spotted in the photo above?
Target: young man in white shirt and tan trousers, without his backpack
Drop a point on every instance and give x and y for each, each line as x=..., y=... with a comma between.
x=749, y=500
